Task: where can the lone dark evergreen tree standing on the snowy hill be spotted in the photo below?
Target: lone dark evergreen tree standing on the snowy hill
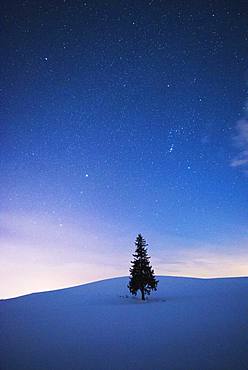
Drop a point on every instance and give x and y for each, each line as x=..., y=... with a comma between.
x=142, y=275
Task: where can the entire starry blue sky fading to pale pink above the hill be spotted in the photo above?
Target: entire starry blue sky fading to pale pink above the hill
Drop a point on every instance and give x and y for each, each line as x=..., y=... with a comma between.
x=119, y=118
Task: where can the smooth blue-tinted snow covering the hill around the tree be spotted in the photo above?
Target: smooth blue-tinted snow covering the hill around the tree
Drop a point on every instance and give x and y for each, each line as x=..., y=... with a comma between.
x=187, y=324
